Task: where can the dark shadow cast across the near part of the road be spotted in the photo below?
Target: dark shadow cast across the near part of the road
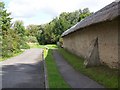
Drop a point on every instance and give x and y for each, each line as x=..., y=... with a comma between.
x=22, y=75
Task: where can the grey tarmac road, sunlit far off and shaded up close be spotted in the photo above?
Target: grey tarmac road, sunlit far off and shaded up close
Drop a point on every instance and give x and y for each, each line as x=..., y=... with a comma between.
x=24, y=71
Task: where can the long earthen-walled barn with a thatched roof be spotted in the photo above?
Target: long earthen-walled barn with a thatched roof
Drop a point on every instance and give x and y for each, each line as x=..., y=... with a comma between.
x=96, y=37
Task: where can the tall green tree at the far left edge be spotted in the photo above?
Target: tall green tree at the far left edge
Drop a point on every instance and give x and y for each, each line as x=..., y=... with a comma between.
x=5, y=24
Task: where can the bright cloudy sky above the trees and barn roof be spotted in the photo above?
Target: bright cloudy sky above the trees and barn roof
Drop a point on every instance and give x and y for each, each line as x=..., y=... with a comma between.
x=43, y=11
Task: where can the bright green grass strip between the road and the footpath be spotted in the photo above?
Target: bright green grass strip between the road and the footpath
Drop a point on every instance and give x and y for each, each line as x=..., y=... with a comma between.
x=55, y=79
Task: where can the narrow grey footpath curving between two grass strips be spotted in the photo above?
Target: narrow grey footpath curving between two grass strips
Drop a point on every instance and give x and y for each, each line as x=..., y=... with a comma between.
x=72, y=77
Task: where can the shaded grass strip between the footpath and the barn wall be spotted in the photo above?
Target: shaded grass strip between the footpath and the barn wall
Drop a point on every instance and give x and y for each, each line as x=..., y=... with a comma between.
x=102, y=74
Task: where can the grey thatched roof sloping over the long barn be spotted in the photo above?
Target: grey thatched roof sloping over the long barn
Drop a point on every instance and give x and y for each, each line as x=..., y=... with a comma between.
x=107, y=13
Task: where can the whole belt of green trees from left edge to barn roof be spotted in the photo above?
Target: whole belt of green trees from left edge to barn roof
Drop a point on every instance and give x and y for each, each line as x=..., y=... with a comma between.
x=14, y=35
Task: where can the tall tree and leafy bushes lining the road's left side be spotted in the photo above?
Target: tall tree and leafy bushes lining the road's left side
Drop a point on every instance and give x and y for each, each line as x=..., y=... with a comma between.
x=12, y=37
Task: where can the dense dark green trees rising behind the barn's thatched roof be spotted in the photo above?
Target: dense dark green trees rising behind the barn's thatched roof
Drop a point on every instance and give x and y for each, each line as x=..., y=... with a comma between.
x=50, y=33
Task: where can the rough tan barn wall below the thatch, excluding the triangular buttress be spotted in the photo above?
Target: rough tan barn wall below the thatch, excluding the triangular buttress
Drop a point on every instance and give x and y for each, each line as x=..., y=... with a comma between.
x=79, y=41
